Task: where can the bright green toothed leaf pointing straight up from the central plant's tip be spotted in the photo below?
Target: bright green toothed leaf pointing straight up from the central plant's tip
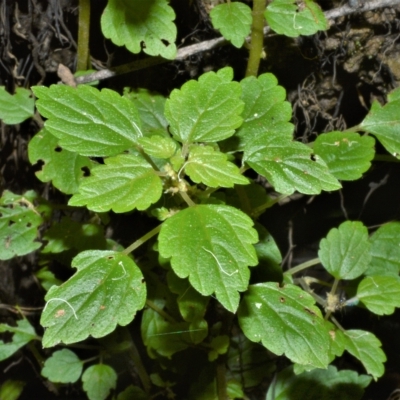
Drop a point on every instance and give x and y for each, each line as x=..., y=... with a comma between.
x=207, y=110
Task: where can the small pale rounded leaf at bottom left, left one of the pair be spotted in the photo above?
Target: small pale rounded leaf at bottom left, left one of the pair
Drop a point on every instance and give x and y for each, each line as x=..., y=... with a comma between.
x=64, y=366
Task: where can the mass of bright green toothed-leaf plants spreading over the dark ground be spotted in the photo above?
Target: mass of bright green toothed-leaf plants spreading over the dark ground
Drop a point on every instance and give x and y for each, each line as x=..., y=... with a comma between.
x=207, y=290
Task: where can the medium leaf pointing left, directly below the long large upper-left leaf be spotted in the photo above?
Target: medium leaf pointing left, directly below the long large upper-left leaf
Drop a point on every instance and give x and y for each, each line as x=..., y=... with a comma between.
x=125, y=182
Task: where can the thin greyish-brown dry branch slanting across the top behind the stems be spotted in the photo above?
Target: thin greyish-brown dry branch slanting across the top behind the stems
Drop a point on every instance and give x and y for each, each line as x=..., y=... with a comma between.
x=207, y=45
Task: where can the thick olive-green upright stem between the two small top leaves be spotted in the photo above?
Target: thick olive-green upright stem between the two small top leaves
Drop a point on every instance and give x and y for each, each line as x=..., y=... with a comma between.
x=257, y=38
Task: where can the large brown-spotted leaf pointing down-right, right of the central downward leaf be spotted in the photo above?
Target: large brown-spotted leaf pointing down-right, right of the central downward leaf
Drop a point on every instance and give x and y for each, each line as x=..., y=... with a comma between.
x=286, y=321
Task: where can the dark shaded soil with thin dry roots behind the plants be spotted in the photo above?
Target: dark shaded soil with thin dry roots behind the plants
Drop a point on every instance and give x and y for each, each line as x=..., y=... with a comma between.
x=331, y=79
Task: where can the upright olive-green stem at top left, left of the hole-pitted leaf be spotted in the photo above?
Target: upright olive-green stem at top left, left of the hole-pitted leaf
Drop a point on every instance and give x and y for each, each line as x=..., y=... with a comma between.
x=83, y=35
